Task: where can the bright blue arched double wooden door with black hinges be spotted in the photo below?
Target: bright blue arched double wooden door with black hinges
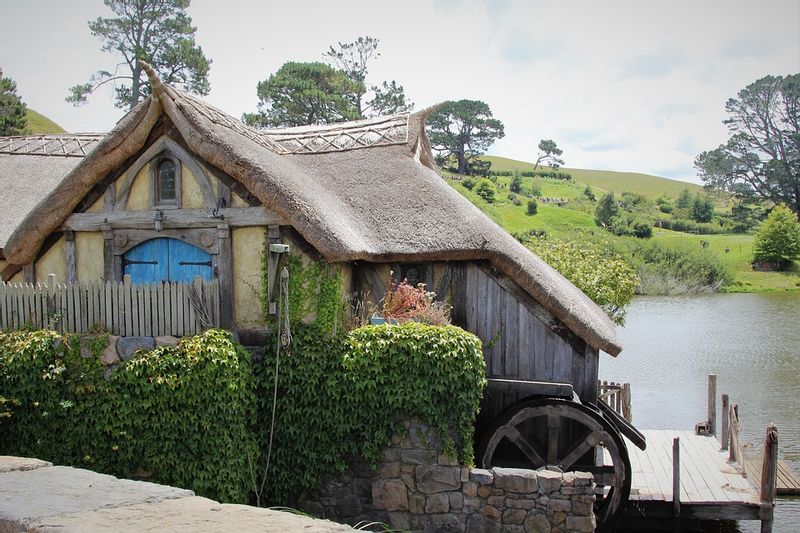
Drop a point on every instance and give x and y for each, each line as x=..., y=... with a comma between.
x=166, y=259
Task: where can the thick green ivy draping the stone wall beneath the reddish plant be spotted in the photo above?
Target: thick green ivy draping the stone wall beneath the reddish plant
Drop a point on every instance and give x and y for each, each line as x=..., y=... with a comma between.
x=346, y=395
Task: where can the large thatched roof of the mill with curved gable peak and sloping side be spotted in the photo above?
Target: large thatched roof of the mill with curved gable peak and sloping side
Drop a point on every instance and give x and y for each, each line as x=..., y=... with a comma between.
x=367, y=191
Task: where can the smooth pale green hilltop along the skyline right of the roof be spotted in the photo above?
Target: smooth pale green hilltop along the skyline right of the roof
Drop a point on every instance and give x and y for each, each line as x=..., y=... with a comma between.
x=609, y=180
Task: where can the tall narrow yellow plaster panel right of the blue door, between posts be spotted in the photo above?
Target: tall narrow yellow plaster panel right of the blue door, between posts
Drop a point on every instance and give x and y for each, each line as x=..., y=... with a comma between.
x=247, y=245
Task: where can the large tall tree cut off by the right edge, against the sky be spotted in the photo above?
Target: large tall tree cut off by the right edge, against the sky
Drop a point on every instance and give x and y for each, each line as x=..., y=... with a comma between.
x=762, y=156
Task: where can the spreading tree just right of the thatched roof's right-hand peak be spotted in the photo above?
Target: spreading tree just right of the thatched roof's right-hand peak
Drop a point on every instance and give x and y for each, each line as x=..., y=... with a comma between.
x=463, y=129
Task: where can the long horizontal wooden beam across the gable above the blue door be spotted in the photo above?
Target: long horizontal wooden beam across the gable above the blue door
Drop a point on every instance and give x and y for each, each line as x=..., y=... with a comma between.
x=173, y=218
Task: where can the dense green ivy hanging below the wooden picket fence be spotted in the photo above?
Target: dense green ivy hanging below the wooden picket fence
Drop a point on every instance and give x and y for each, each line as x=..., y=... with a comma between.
x=183, y=415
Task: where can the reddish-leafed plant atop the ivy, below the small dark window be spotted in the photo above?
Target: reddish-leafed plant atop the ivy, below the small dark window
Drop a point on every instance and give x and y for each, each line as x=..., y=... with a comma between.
x=403, y=302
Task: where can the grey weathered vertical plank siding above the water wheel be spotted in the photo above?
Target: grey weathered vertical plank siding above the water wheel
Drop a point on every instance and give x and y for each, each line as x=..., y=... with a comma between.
x=521, y=339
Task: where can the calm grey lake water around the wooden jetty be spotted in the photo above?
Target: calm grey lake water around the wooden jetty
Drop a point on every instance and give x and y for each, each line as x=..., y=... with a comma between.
x=752, y=343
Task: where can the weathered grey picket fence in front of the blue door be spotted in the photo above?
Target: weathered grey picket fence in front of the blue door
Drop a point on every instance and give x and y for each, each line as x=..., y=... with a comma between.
x=121, y=308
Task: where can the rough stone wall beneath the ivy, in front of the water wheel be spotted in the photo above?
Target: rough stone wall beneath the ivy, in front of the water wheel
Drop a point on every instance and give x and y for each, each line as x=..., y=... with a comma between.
x=417, y=488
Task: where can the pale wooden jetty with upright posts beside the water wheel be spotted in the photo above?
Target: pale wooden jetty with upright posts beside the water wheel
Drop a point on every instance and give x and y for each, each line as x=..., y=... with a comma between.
x=686, y=476
